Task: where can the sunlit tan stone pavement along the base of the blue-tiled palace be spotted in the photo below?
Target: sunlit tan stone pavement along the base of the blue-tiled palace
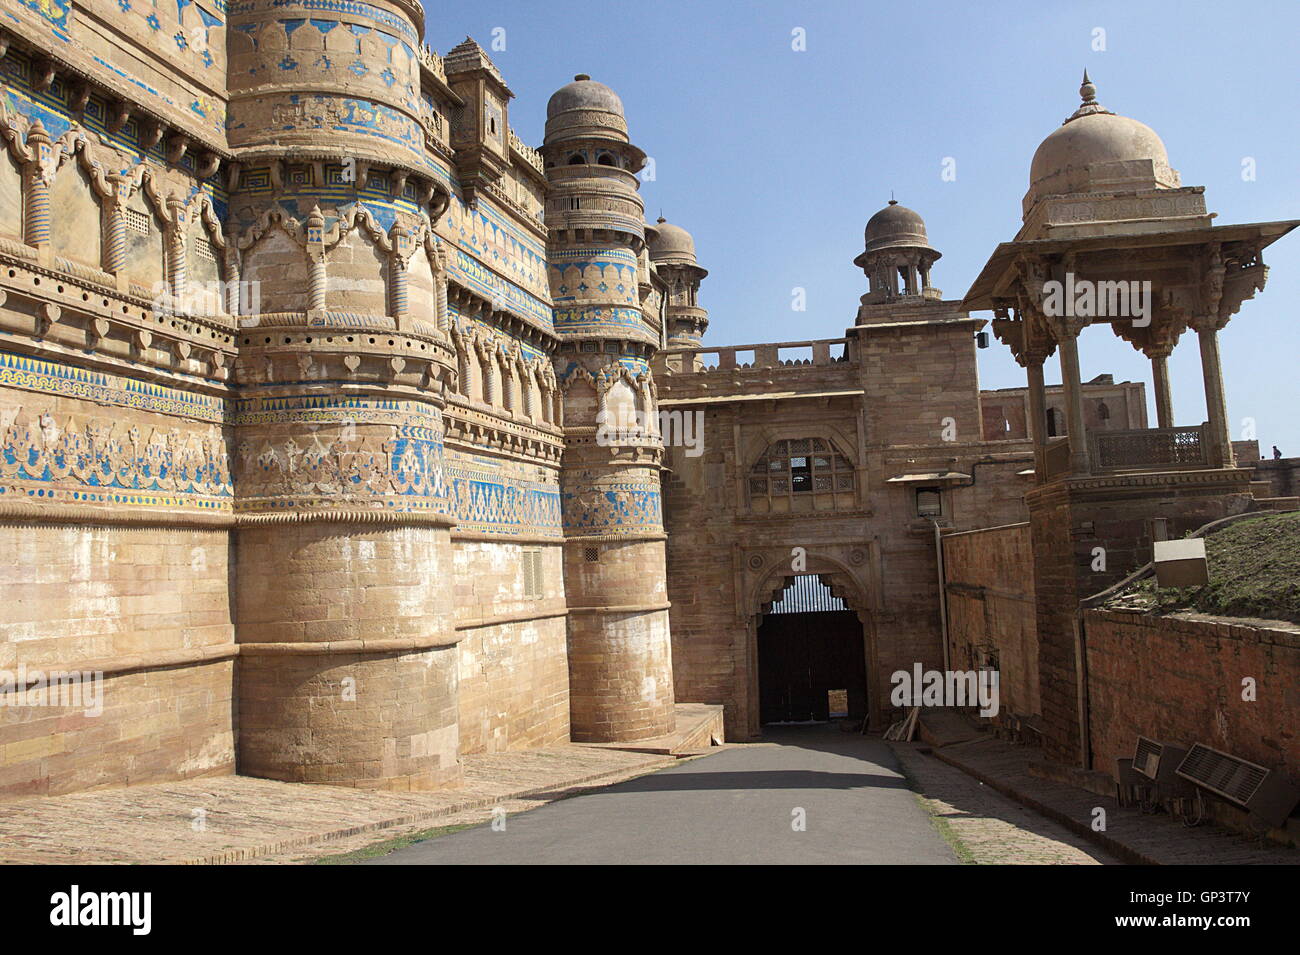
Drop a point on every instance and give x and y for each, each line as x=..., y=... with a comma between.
x=246, y=819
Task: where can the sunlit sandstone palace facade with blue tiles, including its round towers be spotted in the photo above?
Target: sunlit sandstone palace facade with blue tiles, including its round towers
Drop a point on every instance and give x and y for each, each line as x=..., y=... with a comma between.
x=284, y=452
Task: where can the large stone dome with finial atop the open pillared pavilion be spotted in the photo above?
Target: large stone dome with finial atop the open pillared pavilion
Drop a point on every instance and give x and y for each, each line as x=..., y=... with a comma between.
x=1099, y=151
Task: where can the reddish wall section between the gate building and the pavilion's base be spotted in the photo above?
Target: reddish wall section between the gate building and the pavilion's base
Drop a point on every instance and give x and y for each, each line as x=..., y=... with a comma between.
x=991, y=611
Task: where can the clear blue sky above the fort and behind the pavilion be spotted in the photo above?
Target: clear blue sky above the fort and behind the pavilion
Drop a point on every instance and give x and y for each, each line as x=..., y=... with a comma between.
x=775, y=159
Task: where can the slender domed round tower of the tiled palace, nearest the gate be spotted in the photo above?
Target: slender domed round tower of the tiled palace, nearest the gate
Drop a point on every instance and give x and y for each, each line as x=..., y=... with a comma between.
x=621, y=658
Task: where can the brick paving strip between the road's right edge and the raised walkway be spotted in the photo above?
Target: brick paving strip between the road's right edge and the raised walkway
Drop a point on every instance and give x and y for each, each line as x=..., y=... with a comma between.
x=989, y=827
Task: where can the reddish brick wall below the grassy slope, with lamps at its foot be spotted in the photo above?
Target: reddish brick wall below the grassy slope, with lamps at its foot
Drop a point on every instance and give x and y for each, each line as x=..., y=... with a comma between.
x=1178, y=679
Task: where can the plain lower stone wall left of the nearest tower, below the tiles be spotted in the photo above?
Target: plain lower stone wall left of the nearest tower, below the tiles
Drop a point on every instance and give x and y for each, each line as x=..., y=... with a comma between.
x=146, y=611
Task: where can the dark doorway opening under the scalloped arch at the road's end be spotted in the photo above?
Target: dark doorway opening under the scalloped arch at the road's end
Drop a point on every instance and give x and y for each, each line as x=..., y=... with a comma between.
x=812, y=663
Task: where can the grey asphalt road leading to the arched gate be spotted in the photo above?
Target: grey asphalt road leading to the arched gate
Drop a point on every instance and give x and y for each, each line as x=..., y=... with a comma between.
x=734, y=808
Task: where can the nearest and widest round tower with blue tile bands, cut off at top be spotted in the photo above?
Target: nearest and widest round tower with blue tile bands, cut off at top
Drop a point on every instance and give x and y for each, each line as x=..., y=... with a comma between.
x=348, y=668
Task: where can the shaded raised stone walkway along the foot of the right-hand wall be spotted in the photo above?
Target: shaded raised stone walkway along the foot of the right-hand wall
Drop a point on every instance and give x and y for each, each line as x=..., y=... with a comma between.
x=1132, y=835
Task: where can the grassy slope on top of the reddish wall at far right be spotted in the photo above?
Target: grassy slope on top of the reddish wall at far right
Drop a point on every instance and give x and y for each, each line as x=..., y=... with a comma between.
x=1255, y=572
